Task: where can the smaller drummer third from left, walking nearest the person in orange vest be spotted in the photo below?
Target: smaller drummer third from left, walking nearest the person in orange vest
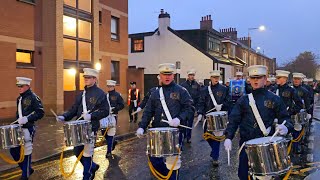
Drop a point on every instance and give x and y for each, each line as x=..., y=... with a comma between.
x=116, y=104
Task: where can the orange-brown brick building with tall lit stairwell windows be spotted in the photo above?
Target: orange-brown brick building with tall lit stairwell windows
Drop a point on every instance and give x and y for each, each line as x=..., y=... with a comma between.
x=52, y=41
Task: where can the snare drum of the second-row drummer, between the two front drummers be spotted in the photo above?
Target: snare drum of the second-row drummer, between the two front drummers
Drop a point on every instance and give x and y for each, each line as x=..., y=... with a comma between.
x=217, y=121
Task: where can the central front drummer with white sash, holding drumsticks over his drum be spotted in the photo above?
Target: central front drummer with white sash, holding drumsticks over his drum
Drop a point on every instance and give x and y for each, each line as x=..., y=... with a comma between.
x=180, y=106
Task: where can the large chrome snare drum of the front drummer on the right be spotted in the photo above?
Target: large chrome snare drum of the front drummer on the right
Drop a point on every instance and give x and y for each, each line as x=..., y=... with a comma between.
x=268, y=158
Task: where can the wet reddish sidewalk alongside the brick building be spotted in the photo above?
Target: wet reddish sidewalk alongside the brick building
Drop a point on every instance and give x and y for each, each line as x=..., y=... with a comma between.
x=49, y=137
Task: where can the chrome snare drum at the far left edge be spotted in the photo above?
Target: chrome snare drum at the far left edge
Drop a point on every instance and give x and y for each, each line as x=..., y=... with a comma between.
x=10, y=136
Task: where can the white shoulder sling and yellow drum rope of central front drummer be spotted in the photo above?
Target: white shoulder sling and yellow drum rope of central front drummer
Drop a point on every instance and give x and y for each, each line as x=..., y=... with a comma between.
x=157, y=174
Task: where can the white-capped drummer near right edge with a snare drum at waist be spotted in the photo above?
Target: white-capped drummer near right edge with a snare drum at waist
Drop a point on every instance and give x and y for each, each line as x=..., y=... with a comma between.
x=304, y=95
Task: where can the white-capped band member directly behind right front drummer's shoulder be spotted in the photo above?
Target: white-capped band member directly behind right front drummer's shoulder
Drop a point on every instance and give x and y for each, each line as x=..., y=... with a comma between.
x=287, y=94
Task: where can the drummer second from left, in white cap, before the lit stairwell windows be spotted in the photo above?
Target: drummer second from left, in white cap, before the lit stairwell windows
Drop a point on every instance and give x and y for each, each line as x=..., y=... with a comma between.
x=92, y=105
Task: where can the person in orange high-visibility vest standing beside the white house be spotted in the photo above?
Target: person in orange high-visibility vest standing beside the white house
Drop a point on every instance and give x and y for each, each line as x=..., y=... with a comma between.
x=133, y=100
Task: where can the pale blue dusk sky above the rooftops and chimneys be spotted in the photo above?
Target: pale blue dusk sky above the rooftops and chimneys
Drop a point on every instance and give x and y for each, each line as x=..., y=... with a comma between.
x=293, y=26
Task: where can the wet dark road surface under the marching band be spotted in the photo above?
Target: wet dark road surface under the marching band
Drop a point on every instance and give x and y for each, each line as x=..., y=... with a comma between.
x=130, y=161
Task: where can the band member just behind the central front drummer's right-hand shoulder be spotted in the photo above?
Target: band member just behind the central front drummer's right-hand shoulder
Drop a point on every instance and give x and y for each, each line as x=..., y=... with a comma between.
x=193, y=88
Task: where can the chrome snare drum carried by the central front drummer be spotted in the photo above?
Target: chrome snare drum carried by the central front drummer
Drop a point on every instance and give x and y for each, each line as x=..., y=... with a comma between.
x=163, y=142
